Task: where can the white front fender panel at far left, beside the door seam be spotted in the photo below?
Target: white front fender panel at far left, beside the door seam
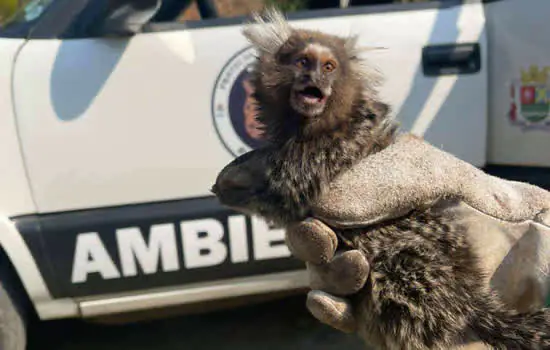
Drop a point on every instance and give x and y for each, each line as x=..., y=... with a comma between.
x=17, y=198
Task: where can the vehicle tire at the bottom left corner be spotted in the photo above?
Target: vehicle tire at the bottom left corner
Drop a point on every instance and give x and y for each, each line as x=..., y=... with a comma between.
x=13, y=325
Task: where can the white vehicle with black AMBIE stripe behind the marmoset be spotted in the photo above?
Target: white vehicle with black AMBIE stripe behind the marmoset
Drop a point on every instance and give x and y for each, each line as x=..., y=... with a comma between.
x=114, y=122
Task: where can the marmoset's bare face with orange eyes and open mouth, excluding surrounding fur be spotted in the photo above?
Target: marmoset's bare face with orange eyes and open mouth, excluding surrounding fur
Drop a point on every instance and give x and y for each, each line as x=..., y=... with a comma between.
x=314, y=69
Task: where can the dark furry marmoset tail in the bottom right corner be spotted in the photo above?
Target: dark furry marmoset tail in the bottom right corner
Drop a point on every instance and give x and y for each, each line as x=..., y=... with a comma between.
x=505, y=329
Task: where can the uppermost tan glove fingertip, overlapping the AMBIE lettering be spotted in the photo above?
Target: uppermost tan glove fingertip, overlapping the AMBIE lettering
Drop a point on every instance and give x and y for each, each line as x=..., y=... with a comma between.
x=311, y=241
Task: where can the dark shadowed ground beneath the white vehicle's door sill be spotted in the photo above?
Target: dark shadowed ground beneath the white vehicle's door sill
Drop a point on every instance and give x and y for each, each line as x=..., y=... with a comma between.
x=276, y=325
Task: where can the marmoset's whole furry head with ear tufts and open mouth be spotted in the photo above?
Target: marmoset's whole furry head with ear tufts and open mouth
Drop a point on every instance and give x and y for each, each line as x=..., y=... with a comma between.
x=306, y=82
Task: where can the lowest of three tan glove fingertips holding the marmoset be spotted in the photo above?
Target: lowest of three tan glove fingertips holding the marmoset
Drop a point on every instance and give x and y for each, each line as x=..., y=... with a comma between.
x=330, y=310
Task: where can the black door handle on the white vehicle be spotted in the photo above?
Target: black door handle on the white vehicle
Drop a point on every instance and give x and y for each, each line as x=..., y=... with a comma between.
x=451, y=59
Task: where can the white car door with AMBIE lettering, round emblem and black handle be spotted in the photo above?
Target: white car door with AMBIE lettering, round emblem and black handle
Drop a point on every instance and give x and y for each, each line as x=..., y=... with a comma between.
x=123, y=137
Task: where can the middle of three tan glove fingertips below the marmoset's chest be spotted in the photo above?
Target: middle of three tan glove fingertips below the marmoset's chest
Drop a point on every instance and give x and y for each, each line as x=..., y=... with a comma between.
x=344, y=275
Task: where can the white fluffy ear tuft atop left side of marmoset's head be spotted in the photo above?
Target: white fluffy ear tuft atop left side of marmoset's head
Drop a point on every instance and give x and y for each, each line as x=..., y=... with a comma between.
x=268, y=34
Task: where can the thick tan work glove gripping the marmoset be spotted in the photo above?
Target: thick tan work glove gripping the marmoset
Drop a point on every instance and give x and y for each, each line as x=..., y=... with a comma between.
x=508, y=223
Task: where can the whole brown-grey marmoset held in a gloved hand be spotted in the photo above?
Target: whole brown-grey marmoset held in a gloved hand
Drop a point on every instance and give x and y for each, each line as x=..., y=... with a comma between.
x=321, y=114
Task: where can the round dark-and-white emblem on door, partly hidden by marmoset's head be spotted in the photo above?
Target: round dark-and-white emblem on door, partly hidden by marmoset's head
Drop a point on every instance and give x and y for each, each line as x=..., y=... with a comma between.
x=233, y=107
